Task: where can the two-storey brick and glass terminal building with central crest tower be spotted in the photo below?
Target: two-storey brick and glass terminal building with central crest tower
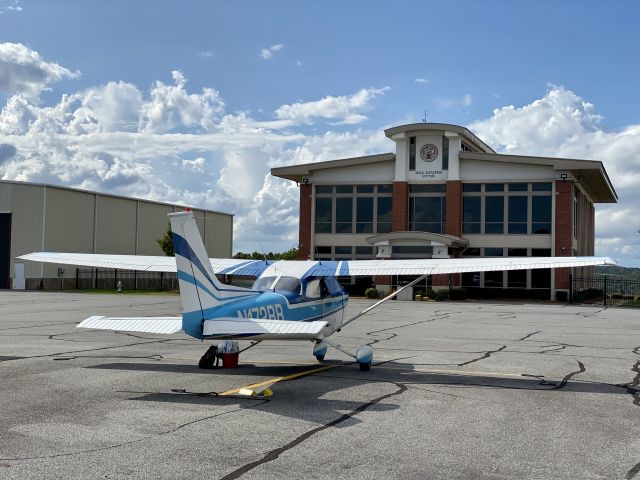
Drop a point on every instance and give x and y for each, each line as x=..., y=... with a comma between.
x=444, y=193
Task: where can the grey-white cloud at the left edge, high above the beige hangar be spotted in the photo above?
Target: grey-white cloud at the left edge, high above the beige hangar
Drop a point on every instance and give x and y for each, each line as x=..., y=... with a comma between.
x=23, y=71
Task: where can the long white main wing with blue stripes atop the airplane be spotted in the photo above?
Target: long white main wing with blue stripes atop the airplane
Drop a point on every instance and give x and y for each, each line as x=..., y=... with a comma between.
x=306, y=268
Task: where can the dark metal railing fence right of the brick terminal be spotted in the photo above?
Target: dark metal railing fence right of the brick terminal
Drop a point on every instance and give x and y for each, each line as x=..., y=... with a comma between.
x=605, y=291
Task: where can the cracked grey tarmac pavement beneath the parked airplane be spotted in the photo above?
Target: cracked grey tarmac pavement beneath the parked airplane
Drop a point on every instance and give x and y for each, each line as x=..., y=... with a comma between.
x=465, y=390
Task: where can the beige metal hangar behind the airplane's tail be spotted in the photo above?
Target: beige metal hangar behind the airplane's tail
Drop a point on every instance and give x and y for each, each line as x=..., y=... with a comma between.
x=38, y=217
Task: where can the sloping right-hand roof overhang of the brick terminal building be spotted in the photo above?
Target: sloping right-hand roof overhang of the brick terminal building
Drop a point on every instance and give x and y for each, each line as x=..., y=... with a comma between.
x=590, y=174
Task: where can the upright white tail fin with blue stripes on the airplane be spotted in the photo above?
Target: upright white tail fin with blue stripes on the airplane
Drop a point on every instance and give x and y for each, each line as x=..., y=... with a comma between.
x=200, y=290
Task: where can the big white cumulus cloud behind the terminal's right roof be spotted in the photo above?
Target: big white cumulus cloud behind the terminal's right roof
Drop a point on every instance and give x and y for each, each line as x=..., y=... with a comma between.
x=562, y=124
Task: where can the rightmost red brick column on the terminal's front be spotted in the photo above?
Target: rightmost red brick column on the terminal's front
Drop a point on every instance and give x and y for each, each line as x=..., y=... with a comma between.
x=564, y=230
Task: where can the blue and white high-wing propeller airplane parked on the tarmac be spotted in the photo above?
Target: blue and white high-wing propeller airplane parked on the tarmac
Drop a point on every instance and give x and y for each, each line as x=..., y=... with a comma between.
x=290, y=300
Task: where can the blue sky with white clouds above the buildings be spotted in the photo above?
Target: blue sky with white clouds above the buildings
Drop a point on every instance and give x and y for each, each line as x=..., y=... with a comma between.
x=193, y=102
